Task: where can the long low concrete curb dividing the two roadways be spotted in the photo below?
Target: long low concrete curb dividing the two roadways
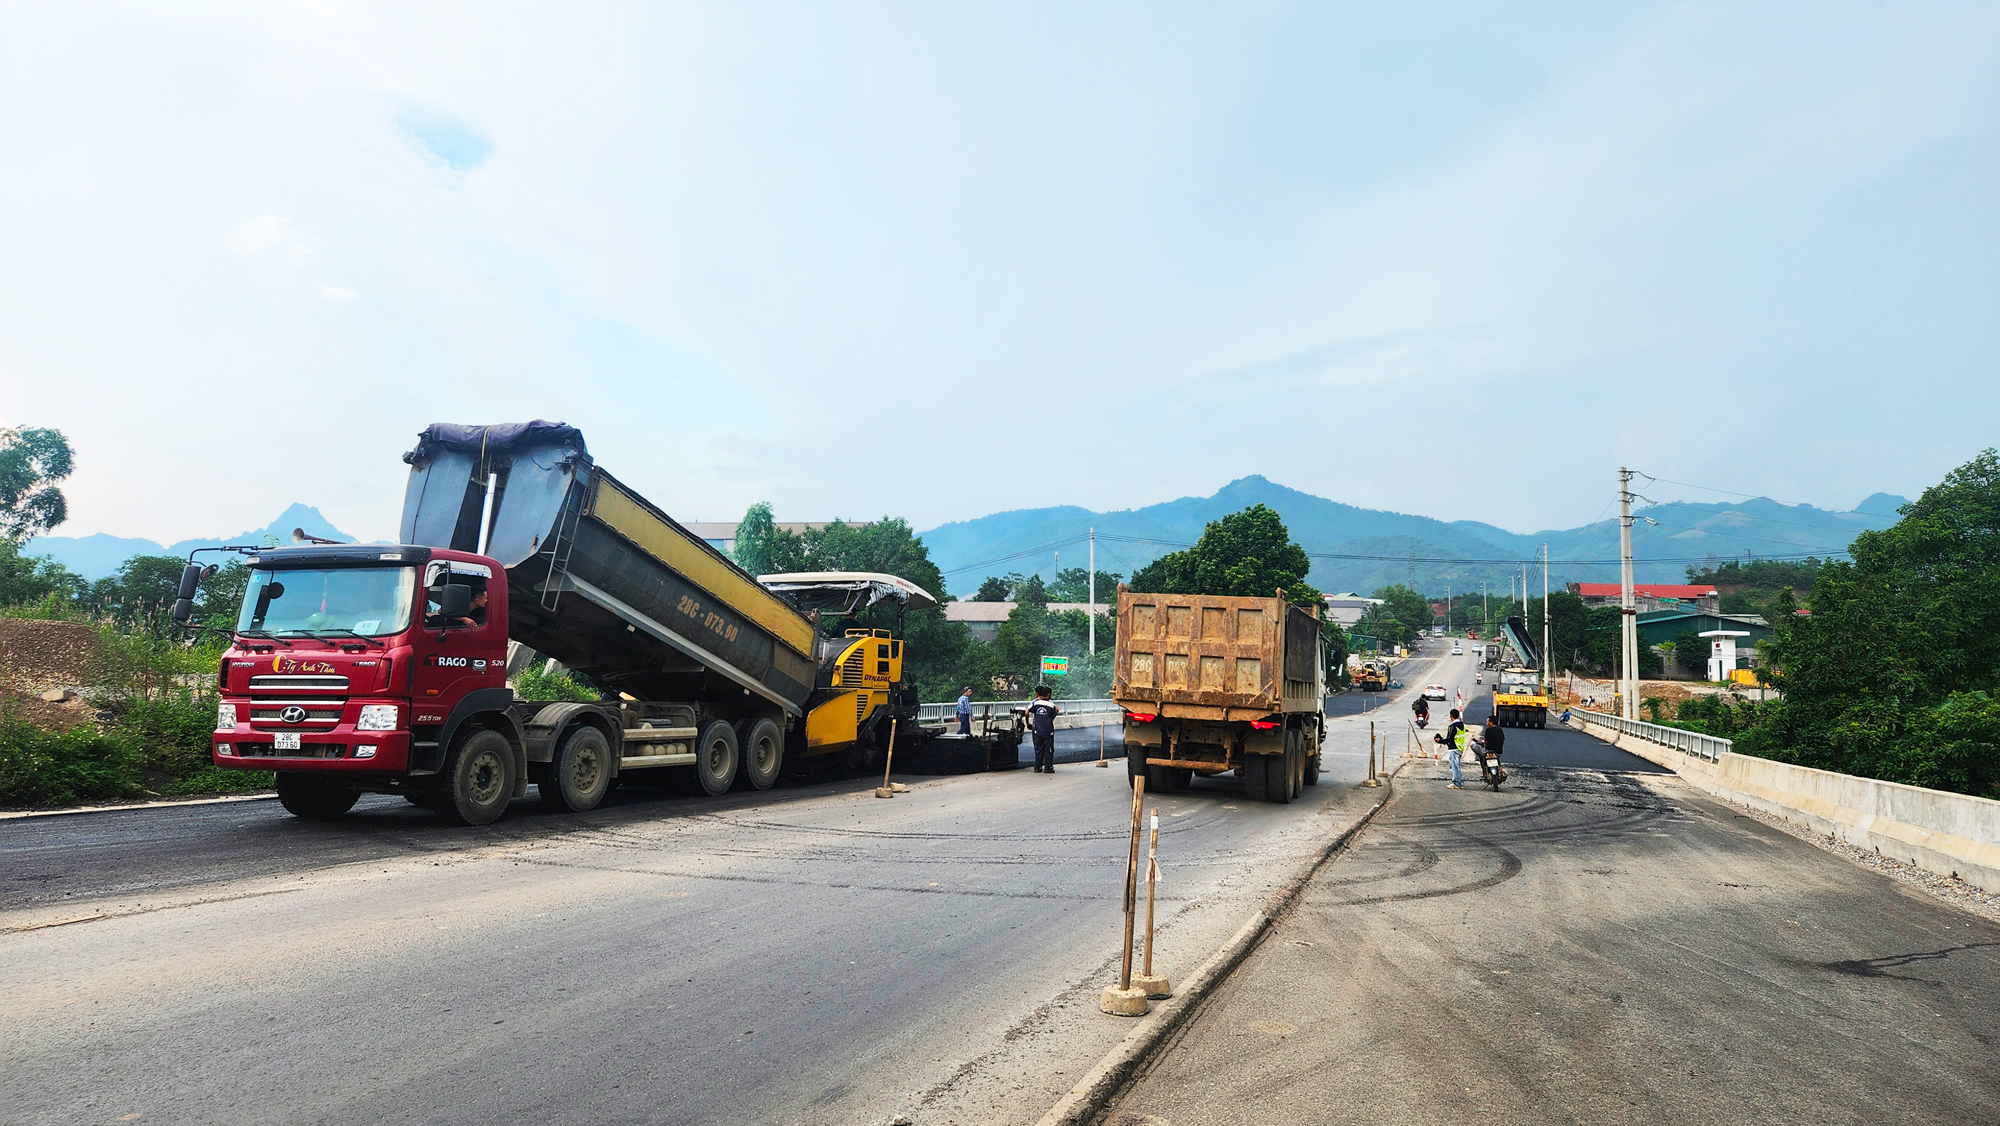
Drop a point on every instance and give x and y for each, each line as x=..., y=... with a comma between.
x=1111, y=1075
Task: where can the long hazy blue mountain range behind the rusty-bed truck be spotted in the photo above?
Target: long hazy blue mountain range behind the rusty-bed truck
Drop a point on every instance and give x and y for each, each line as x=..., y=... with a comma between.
x=1467, y=553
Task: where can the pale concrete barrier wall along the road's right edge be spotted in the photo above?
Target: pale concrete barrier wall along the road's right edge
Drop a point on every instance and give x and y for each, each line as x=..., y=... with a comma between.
x=1943, y=833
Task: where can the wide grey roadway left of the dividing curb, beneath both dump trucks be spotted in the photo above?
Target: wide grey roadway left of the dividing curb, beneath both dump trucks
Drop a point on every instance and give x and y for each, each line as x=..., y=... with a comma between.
x=807, y=955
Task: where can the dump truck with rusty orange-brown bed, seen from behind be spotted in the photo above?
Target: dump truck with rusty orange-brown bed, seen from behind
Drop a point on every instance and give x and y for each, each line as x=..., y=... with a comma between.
x=1213, y=685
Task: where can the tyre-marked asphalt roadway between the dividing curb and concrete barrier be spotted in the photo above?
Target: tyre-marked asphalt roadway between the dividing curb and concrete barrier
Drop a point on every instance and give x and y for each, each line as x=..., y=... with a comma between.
x=1591, y=947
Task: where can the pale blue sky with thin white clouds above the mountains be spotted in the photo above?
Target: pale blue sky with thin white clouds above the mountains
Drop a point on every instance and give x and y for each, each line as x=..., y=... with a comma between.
x=943, y=261
